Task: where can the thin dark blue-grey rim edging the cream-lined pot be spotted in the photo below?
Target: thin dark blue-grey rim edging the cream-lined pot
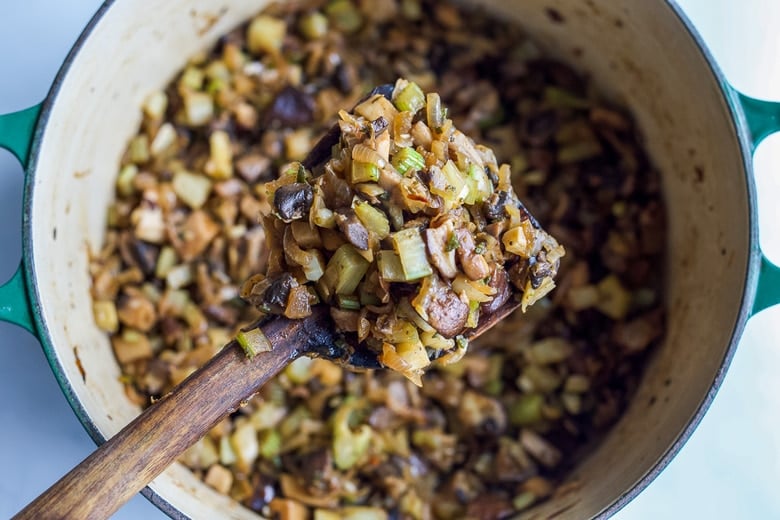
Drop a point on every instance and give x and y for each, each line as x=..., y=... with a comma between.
x=739, y=127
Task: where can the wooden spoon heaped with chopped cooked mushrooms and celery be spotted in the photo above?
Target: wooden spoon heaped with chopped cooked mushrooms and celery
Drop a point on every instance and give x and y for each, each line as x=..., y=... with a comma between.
x=395, y=242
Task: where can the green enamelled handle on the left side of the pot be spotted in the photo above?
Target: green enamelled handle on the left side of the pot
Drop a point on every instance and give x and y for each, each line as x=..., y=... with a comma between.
x=16, y=133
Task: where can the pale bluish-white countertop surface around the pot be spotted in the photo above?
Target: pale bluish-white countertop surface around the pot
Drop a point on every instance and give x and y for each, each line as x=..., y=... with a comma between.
x=728, y=469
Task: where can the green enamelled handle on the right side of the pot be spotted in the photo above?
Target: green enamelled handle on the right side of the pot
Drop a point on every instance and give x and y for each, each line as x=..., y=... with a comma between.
x=763, y=119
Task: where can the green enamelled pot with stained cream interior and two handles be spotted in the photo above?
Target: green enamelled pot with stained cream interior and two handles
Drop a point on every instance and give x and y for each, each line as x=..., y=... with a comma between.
x=698, y=130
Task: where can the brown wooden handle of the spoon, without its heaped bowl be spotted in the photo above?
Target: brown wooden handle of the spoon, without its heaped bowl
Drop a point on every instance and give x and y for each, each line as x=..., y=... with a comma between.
x=131, y=459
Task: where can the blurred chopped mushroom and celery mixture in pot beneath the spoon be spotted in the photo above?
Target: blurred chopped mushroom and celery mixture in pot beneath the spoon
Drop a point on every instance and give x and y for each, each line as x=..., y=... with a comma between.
x=483, y=438
